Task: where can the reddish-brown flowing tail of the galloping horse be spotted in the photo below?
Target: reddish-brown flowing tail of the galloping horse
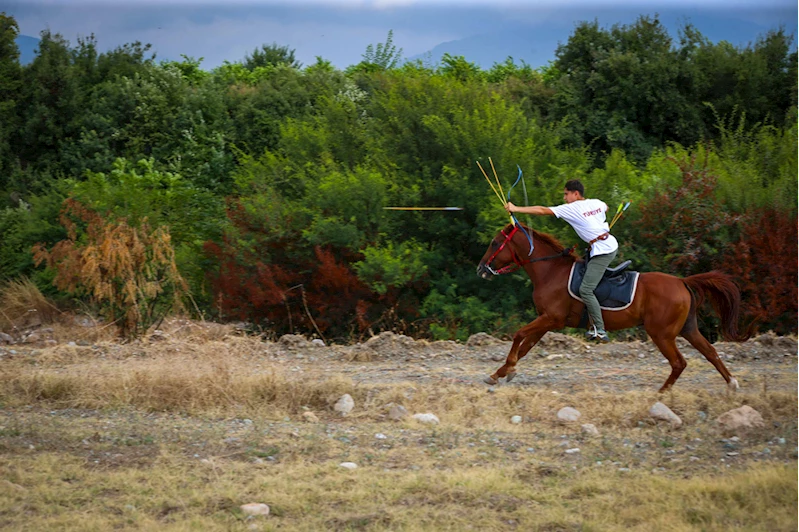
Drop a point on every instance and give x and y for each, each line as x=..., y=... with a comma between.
x=726, y=300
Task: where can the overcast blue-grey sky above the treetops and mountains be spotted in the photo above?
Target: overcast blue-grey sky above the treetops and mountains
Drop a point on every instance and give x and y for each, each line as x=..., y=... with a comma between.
x=337, y=30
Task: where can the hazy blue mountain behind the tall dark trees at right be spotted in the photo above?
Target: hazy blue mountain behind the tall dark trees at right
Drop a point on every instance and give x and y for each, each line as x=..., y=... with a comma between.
x=535, y=42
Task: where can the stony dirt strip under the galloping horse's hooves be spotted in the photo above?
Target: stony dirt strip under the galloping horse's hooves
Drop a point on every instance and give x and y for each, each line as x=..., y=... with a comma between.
x=559, y=362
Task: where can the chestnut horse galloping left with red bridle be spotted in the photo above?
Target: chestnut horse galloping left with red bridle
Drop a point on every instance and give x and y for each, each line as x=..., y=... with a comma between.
x=664, y=304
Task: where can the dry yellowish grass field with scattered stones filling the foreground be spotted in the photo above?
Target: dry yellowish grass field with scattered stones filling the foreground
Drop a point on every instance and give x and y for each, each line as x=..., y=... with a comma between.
x=177, y=433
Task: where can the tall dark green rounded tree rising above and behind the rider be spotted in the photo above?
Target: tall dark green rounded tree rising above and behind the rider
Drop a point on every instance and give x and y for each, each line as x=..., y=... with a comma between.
x=624, y=88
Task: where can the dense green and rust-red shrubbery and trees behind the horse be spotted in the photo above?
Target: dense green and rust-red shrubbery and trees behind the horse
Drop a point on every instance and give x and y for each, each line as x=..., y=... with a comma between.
x=271, y=178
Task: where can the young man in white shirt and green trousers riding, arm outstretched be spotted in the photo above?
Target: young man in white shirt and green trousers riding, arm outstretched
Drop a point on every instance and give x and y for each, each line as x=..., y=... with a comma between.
x=587, y=217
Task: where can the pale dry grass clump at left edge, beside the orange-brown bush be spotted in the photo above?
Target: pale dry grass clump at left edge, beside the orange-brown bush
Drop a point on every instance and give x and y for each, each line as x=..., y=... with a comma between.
x=23, y=304
